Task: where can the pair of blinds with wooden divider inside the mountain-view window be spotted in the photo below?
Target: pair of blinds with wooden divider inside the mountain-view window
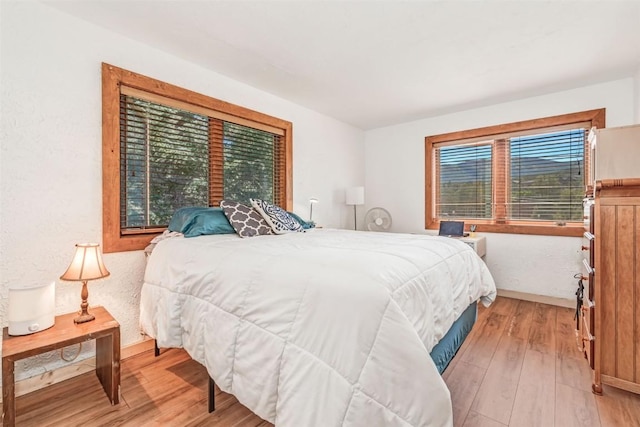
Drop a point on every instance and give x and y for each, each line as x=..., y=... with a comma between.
x=536, y=177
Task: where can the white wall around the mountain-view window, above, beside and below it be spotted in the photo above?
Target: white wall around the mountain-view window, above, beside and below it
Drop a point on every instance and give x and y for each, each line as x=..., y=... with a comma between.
x=395, y=172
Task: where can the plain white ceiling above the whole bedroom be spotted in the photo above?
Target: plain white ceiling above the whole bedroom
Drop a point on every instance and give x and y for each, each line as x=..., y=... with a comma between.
x=373, y=64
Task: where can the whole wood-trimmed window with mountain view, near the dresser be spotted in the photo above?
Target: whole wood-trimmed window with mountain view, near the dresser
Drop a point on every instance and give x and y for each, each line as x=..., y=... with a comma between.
x=526, y=177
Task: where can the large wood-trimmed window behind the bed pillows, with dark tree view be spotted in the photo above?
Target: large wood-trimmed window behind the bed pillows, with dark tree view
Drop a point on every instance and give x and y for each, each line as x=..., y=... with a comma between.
x=165, y=147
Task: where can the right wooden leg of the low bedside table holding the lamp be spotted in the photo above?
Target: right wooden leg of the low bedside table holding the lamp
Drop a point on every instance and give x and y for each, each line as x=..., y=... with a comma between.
x=108, y=365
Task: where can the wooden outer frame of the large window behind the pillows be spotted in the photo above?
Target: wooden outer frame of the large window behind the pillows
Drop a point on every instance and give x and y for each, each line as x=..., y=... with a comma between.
x=113, y=80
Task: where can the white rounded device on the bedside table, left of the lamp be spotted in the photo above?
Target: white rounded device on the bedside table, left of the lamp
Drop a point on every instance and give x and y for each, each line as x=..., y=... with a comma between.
x=31, y=309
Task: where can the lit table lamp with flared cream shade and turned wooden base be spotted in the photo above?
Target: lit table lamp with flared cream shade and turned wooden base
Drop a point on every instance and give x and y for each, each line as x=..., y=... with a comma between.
x=86, y=265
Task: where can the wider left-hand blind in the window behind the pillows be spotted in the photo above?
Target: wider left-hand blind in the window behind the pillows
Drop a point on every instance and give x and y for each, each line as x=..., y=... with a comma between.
x=163, y=154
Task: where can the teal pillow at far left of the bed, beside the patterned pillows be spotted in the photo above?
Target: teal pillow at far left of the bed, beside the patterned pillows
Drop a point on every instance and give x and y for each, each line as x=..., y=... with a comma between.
x=197, y=221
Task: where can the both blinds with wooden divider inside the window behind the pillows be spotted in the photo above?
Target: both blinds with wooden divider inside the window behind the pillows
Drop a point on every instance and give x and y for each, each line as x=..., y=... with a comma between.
x=171, y=158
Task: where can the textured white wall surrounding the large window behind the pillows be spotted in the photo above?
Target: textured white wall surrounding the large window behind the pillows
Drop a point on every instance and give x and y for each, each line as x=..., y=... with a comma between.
x=51, y=176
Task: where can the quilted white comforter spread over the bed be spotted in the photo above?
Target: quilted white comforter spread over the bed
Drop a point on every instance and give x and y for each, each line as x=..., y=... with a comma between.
x=324, y=328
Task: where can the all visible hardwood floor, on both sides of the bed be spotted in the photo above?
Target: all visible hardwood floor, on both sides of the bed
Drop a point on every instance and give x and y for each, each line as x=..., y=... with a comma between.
x=520, y=366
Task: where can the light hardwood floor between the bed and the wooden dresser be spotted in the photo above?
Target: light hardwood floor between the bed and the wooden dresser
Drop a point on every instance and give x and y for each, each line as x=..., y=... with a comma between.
x=521, y=366
